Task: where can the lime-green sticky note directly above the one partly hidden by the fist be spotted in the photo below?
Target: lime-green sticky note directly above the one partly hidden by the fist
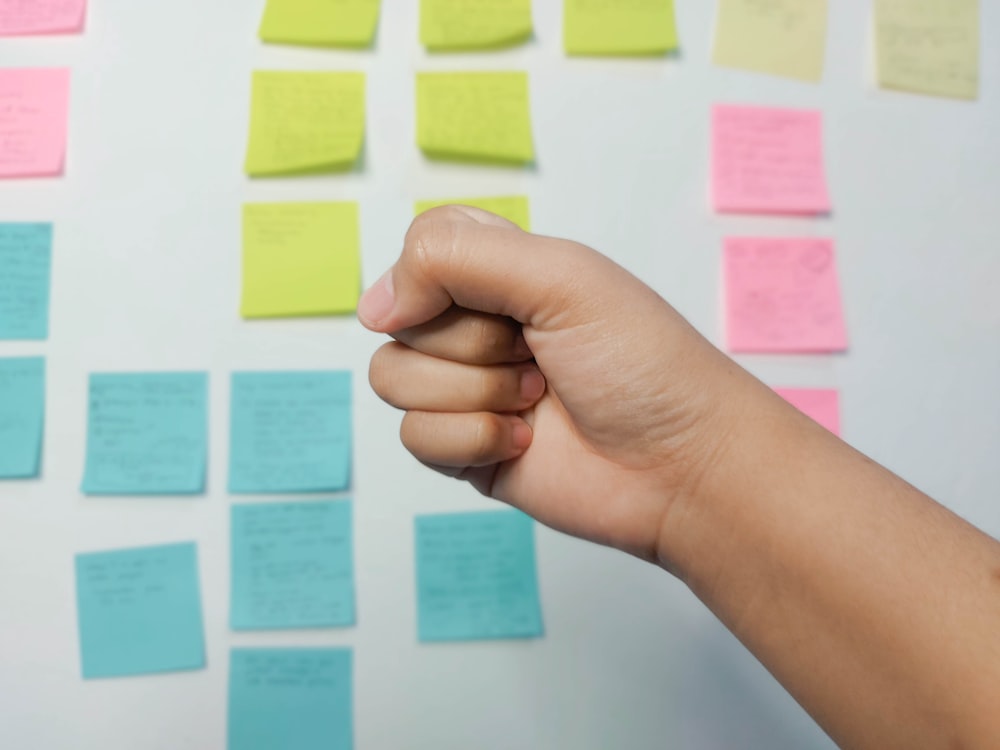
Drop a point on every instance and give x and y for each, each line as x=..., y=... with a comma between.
x=477, y=117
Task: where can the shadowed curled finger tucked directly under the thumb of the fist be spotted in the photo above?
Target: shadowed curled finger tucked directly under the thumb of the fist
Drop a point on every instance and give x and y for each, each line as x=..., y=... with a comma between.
x=466, y=336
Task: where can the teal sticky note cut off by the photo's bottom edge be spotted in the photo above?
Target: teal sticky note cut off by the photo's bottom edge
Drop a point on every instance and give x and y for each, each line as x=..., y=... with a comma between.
x=282, y=698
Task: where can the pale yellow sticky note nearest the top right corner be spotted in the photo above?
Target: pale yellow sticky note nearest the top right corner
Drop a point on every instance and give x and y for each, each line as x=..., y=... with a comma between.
x=928, y=46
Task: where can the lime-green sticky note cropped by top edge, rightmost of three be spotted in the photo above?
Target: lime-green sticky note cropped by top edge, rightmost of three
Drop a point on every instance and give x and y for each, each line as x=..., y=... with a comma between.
x=619, y=27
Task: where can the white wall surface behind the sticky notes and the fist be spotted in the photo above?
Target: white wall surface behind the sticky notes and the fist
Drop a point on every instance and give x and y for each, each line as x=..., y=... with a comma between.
x=146, y=277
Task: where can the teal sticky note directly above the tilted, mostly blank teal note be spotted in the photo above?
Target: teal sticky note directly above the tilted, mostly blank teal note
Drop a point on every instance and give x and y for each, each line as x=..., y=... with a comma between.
x=147, y=434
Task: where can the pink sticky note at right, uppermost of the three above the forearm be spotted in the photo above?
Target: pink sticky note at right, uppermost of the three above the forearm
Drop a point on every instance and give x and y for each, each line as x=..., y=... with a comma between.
x=767, y=160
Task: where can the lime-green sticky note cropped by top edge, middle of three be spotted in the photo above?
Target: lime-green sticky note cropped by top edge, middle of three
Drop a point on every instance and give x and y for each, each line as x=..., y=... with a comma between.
x=474, y=24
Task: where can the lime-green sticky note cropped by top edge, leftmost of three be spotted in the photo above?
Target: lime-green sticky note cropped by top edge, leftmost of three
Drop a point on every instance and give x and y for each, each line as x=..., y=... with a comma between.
x=321, y=23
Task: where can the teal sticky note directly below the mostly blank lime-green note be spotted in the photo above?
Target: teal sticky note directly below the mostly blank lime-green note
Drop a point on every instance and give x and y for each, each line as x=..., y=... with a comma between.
x=290, y=432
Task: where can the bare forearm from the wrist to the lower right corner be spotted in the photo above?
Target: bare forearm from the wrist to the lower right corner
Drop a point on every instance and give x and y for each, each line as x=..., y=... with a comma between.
x=878, y=609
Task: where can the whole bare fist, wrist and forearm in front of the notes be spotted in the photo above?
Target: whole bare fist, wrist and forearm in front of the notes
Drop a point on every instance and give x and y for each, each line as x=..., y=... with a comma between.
x=545, y=375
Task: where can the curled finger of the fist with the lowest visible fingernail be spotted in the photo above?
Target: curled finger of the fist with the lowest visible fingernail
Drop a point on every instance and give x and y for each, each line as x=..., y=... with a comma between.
x=459, y=440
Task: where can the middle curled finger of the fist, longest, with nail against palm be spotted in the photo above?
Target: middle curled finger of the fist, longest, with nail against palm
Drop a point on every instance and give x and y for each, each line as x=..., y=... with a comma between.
x=410, y=380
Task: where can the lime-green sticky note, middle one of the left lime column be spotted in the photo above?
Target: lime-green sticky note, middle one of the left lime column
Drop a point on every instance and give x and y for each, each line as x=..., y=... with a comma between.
x=305, y=122
